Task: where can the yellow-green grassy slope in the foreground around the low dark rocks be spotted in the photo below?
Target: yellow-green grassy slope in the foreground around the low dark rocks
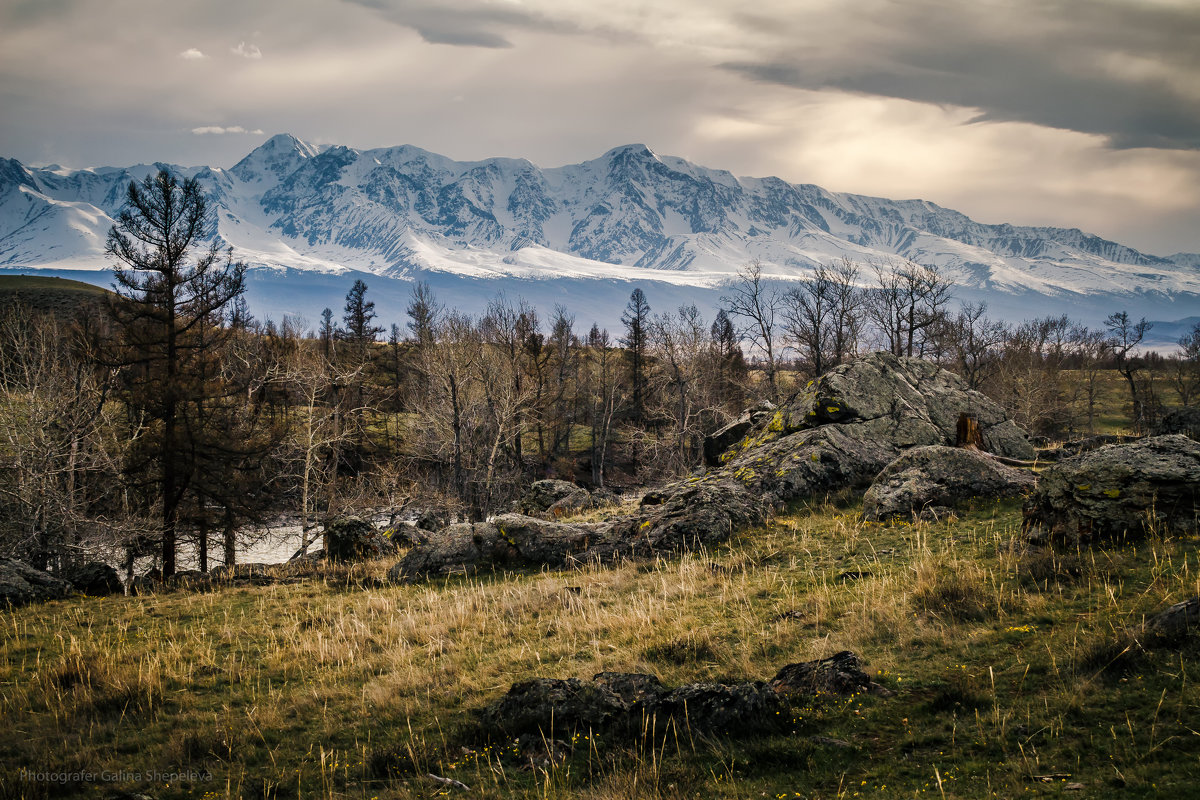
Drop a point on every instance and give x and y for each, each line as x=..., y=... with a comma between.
x=325, y=689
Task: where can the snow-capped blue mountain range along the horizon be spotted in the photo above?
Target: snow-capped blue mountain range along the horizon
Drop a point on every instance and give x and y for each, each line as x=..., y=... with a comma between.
x=315, y=213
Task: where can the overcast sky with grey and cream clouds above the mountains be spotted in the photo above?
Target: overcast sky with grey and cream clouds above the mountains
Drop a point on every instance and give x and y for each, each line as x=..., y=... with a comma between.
x=1078, y=113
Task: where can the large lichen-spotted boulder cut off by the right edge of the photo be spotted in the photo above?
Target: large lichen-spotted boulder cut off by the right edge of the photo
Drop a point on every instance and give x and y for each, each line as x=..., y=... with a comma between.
x=1119, y=492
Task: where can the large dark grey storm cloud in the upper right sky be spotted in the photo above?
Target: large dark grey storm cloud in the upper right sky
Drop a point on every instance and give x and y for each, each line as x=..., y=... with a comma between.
x=1125, y=71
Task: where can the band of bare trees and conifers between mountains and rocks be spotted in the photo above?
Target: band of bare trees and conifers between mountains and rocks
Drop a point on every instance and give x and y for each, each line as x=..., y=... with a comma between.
x=175, y=417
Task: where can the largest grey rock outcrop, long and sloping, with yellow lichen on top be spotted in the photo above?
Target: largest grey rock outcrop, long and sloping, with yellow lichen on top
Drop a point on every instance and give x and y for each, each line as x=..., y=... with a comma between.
x=837, y=434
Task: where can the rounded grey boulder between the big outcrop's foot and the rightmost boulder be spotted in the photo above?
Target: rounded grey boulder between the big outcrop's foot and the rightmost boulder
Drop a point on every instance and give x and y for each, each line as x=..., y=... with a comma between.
x=935, y=477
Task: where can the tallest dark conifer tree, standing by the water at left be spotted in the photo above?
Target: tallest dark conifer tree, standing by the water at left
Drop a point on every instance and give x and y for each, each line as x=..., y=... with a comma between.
x=167, y=308
